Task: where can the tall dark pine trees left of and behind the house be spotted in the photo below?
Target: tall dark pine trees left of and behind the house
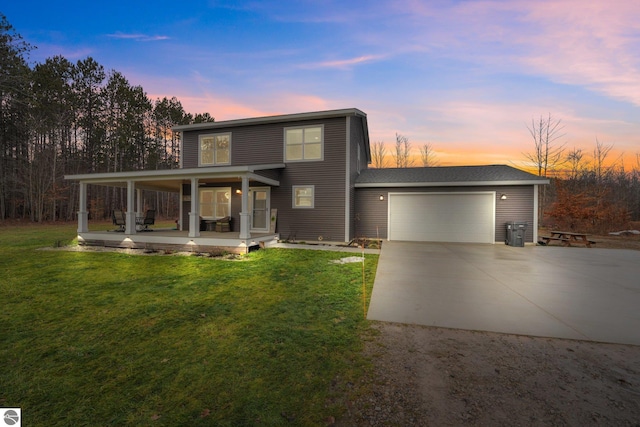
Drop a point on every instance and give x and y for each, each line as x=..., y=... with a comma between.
x=60, y=117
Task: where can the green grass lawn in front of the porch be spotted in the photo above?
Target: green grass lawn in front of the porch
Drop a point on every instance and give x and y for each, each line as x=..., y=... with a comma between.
x=114, y=339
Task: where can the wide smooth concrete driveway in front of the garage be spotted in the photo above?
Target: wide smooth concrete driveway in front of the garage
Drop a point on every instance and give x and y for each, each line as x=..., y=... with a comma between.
x=577, y=293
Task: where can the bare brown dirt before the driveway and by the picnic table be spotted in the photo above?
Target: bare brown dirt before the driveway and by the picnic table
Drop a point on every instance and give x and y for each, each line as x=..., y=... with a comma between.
x=427, y=376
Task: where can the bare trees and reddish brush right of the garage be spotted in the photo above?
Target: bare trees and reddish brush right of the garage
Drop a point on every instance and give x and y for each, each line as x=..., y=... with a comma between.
x=589, y=191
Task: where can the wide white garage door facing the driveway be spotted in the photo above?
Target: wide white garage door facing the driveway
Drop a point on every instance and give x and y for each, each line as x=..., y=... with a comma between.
x=442, y=217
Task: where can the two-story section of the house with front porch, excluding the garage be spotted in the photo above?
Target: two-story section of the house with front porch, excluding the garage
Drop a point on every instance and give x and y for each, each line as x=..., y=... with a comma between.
x=296, y=172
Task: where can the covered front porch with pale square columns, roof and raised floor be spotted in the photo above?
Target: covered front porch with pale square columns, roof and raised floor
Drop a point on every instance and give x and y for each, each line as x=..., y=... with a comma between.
x=187, y=183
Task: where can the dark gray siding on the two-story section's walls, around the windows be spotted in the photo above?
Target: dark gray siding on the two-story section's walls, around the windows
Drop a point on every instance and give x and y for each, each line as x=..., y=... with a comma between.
x=264, y=144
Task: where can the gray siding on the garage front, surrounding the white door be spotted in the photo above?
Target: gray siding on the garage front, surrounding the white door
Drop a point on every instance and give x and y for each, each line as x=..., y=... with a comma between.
x=372, y=213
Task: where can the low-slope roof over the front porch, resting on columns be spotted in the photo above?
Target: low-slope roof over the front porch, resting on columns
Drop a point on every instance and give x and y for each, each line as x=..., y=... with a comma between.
x=172, y=179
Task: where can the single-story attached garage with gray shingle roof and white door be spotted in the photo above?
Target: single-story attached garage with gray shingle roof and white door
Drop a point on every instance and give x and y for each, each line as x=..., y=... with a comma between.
x=465, y=204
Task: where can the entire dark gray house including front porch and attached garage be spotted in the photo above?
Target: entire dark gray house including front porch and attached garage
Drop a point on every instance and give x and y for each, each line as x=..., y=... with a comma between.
x=305, y=177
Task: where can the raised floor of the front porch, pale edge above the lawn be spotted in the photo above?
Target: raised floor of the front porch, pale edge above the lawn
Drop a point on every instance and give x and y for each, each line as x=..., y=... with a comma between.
x=171, y=239
